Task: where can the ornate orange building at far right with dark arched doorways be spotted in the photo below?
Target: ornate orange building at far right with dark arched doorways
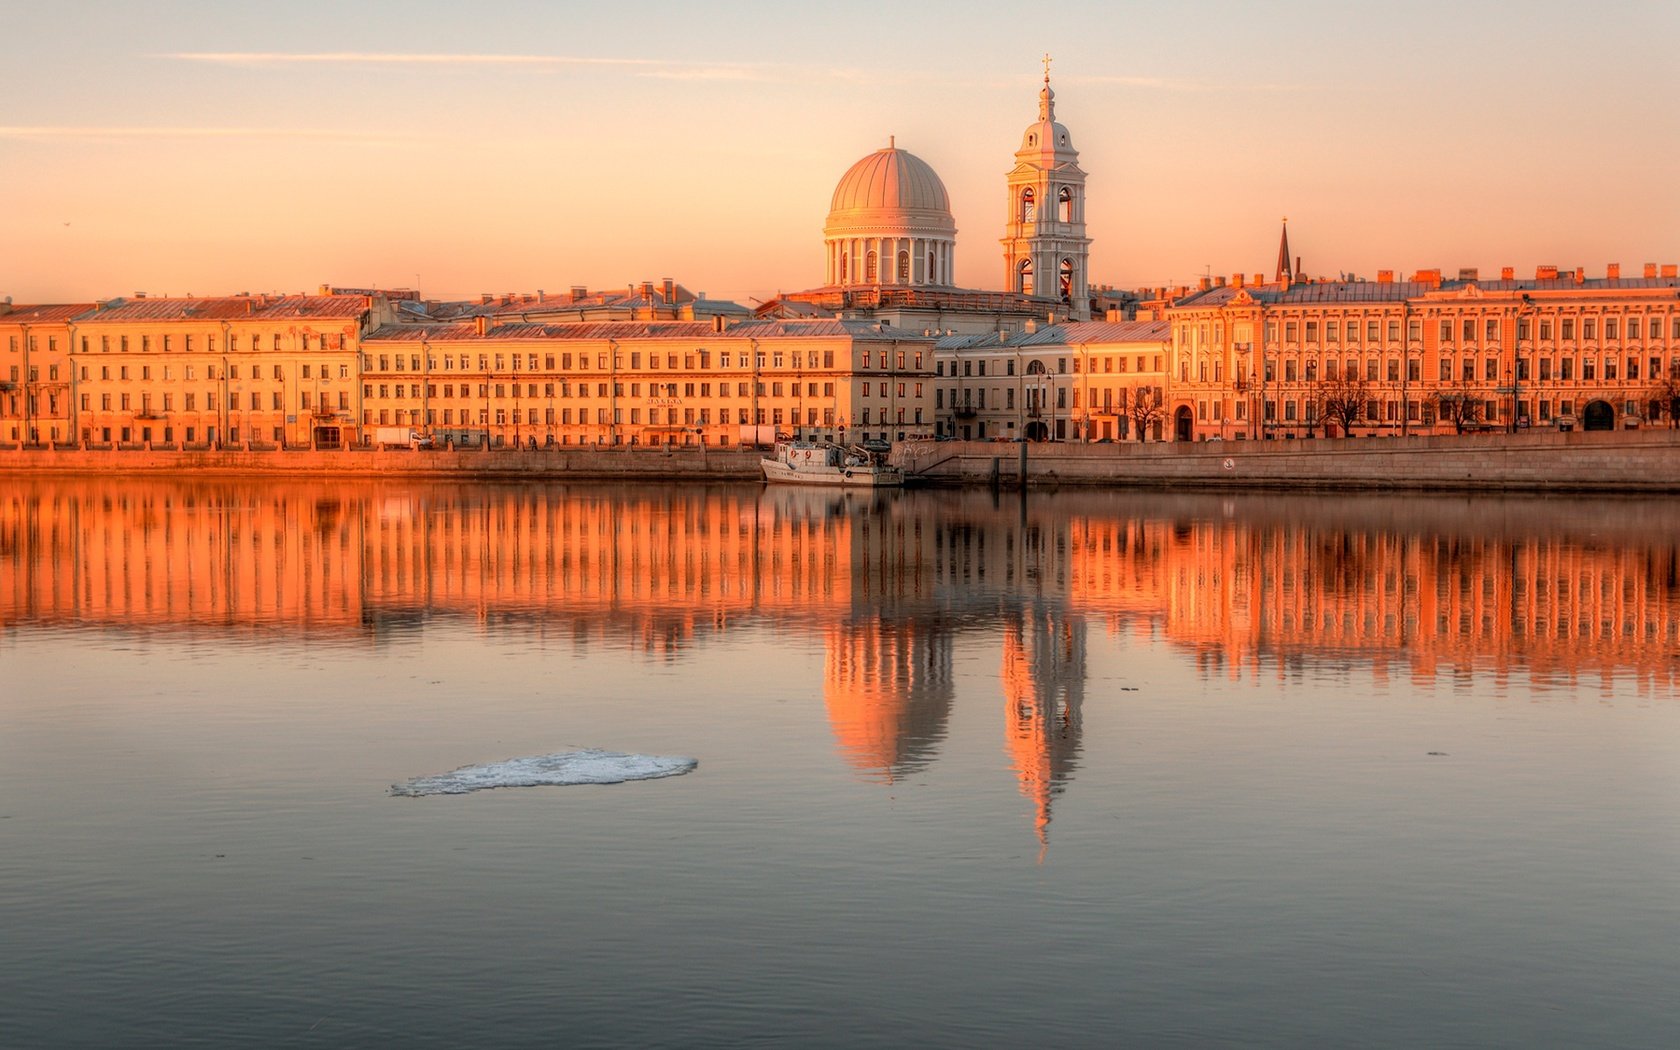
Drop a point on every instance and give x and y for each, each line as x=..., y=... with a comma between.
x=1298, y=359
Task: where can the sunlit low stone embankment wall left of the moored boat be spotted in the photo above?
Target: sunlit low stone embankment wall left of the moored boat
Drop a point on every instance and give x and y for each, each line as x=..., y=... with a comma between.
x=629, y=465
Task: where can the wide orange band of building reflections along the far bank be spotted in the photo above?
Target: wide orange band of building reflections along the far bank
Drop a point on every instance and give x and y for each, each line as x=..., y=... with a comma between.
x=1557, y=587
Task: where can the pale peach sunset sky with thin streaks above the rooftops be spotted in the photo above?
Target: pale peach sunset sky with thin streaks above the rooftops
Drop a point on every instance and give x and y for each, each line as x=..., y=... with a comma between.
x=213, y=149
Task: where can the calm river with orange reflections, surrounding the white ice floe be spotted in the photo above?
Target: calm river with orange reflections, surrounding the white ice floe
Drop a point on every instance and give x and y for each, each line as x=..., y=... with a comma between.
x=1064, y=770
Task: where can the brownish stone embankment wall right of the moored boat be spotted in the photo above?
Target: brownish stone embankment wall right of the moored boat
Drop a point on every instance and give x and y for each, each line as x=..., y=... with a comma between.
x=1627, y=461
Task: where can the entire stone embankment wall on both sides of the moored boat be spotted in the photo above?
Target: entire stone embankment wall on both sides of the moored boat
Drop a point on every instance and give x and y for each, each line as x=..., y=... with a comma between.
x=1629, y=461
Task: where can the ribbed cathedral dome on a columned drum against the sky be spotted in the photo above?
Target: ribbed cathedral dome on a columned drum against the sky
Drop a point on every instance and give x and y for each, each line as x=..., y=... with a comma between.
x=890, y=223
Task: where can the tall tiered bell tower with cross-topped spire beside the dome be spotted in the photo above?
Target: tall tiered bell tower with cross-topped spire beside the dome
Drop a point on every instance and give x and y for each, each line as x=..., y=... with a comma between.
x=1046, y=249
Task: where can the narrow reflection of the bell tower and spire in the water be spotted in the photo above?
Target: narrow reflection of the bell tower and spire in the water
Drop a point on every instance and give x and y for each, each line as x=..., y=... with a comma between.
x=1044, y=686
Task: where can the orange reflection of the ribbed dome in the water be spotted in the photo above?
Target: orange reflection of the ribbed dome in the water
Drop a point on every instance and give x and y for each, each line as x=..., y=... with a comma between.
x=888, y=690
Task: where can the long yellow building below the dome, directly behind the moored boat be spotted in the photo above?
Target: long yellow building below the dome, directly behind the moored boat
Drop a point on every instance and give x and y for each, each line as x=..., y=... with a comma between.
x=648, y=382
